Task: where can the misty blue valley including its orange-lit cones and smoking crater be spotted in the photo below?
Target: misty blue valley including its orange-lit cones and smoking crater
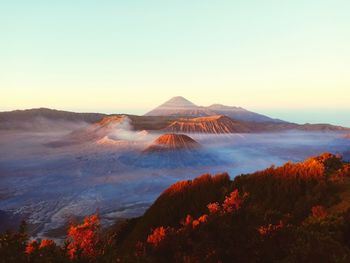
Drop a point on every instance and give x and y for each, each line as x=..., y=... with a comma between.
x=57, y=169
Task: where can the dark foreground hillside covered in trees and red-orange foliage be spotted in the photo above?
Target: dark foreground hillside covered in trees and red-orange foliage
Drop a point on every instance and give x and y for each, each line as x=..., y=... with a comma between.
x=299, y=212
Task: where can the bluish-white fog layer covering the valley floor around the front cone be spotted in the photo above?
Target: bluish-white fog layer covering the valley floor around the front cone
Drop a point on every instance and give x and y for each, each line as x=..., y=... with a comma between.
x=48, y=184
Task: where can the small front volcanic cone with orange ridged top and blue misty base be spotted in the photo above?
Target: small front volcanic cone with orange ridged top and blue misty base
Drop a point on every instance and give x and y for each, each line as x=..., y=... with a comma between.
x=171, y=151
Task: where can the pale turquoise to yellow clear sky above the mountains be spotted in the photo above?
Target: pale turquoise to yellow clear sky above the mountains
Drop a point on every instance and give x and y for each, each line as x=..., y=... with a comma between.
x=288, y=59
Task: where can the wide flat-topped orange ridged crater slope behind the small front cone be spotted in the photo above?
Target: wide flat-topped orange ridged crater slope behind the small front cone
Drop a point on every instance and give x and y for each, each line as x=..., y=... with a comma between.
x=217, y=124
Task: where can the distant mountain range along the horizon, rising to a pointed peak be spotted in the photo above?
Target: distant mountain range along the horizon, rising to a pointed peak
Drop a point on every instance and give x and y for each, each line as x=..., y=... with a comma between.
x=177, y=115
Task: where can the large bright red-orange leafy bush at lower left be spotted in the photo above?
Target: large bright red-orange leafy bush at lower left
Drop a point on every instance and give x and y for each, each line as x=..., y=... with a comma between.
x=83, y=238
